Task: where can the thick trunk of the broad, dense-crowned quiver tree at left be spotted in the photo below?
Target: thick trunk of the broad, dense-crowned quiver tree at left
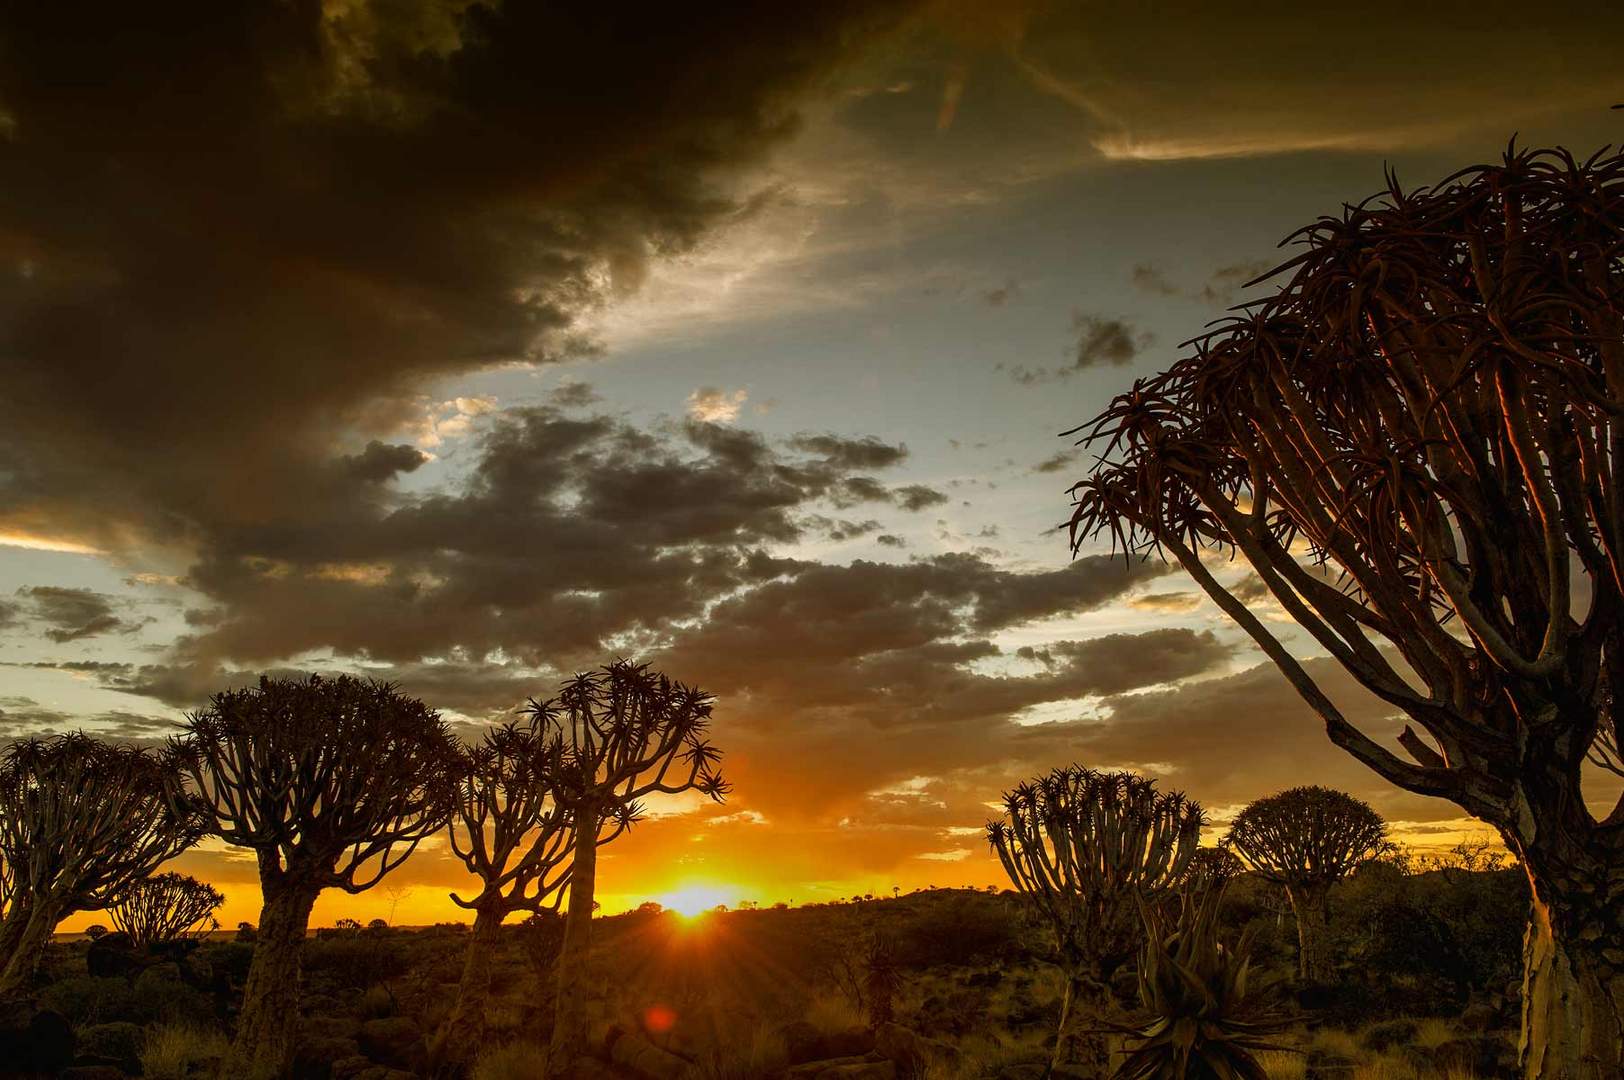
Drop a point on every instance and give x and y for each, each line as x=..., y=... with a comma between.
x=270, y=1001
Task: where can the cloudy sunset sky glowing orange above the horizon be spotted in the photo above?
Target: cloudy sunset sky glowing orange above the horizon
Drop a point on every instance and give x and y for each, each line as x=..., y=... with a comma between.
x=472, y=345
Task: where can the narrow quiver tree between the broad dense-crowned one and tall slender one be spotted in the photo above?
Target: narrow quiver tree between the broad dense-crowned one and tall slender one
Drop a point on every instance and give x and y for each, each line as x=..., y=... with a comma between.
x=516, y=840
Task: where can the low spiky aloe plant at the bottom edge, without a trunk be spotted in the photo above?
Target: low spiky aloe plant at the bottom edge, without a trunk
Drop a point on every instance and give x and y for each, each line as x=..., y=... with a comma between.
x=1203, y=1017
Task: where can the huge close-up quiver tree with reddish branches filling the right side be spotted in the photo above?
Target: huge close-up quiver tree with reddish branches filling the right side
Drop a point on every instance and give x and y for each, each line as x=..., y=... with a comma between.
x=1419, y=446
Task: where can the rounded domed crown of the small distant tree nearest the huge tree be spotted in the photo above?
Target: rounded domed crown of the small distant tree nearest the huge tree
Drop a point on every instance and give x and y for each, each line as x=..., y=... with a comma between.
x=1308, y=836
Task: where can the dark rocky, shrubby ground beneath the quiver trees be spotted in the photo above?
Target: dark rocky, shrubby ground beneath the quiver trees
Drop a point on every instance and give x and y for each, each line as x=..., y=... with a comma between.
x=1427, y=988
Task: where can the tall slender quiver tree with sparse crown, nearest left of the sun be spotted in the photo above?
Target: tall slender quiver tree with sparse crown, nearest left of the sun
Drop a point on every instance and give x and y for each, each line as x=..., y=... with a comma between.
x=628, y=733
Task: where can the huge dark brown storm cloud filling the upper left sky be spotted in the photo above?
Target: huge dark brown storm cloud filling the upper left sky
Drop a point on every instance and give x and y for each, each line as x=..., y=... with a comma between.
x=236, y=233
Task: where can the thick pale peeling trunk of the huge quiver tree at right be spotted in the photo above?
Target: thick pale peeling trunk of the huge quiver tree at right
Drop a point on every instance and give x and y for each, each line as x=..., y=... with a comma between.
x=1573, y=1009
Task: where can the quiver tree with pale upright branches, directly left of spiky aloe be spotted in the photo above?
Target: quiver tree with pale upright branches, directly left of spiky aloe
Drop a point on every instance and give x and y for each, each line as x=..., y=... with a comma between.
x=1089, y=849
